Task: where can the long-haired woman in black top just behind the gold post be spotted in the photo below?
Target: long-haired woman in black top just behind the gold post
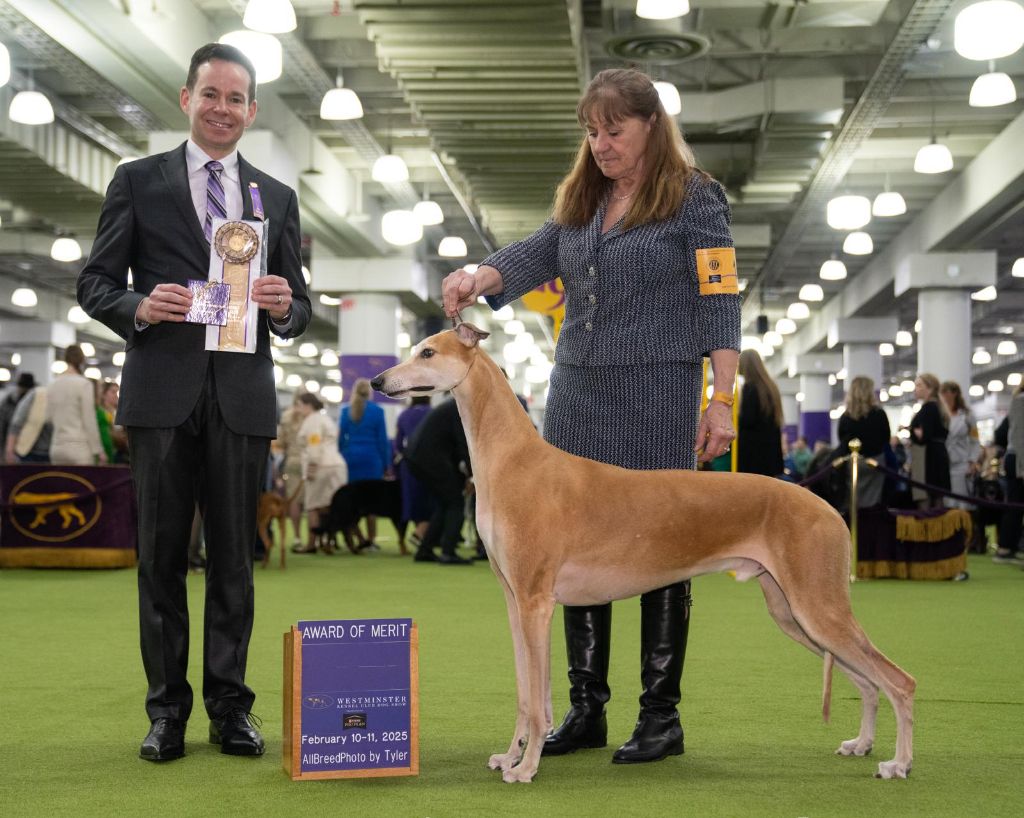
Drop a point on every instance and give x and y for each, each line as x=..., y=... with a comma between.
x=865, y=420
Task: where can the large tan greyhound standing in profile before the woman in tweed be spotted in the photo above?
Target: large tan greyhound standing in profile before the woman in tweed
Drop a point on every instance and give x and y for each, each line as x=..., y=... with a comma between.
x=625, y=533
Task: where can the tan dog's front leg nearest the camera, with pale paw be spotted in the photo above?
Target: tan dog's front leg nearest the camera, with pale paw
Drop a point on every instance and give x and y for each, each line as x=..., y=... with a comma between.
x=535, y=617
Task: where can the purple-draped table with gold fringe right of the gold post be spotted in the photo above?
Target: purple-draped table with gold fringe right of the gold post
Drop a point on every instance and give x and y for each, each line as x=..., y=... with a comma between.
x=912, y=545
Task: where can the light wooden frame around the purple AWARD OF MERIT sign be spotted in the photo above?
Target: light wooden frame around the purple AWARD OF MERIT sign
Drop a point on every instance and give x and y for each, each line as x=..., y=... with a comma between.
x=292, y=716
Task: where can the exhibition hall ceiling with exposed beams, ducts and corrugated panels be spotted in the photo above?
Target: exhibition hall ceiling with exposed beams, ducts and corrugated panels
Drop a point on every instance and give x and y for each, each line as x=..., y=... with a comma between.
x=789, y=103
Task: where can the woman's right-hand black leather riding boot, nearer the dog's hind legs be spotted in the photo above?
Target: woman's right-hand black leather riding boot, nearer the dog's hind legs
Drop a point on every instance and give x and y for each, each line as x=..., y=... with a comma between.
x=665, y=622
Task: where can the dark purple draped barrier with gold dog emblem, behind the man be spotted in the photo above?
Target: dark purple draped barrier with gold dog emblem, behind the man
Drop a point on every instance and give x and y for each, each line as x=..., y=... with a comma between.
x=67, y=518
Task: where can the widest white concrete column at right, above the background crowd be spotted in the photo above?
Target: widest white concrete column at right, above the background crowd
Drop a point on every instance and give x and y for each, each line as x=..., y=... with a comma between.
x=945, y=341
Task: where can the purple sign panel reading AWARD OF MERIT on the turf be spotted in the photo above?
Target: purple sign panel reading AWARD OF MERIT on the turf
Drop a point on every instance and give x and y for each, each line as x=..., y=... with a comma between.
x=357, y=698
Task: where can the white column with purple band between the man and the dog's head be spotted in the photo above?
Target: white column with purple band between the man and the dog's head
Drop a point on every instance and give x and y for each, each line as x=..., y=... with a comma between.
x=368, y=330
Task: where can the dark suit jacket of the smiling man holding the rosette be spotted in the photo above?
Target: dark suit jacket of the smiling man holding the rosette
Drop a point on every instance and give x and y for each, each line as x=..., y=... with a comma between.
x=149, y=224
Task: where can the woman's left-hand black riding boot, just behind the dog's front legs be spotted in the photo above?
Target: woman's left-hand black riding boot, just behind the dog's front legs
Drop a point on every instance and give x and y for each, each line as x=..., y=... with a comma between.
x=588, y=637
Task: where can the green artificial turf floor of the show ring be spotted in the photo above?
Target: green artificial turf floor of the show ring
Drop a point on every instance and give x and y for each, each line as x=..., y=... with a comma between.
x=72, y=693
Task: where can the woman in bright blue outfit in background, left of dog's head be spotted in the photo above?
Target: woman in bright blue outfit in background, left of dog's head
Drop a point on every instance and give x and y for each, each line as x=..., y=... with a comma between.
x=363, y=443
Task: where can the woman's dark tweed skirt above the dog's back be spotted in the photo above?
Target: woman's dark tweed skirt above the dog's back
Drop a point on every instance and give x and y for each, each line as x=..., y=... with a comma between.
x=638, y=417
